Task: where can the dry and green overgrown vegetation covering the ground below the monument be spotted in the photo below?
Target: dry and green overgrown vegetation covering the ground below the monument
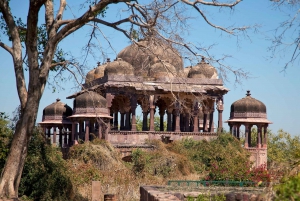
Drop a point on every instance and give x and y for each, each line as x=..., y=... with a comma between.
x=47, y=176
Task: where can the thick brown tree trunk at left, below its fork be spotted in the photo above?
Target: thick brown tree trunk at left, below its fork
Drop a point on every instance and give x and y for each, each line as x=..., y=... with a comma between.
x=12, y=172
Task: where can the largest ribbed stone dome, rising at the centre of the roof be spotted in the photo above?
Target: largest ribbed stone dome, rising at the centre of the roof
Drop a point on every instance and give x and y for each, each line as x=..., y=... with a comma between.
x=148, y=52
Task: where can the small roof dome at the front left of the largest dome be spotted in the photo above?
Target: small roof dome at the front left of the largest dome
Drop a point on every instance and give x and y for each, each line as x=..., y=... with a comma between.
x=119, y=67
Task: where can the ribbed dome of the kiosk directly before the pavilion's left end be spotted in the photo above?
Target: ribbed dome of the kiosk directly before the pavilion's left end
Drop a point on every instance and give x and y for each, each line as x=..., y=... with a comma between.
x=89, y=99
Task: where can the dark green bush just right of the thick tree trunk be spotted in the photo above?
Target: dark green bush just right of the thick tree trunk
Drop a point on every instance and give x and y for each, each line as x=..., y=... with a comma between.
x=45, y=174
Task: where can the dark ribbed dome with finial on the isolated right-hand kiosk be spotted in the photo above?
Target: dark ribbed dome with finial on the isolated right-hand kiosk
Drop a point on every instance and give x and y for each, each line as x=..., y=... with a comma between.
x=248, y=105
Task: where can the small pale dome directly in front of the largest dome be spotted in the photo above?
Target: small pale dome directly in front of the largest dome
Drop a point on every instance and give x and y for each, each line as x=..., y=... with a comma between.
x=162, y=69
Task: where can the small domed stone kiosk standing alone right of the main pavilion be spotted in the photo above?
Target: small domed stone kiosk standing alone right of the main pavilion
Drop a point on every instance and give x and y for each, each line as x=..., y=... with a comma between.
x=251, y=112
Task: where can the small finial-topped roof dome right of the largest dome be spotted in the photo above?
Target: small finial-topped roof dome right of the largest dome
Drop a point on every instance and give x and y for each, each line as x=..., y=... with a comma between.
x=203, y=70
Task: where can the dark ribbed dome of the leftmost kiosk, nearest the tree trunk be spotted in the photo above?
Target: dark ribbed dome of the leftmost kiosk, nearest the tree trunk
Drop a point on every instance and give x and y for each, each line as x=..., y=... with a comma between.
x=57, y=110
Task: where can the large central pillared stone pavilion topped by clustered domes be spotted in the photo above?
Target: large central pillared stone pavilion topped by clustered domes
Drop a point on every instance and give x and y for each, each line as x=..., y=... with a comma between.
x=150, y=74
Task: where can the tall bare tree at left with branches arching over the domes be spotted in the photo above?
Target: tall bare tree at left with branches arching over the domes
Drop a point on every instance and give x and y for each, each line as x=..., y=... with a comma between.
x=40, y=43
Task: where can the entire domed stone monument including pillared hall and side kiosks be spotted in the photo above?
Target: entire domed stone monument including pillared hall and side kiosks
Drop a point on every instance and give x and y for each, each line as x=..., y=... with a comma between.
x=150, y=74
